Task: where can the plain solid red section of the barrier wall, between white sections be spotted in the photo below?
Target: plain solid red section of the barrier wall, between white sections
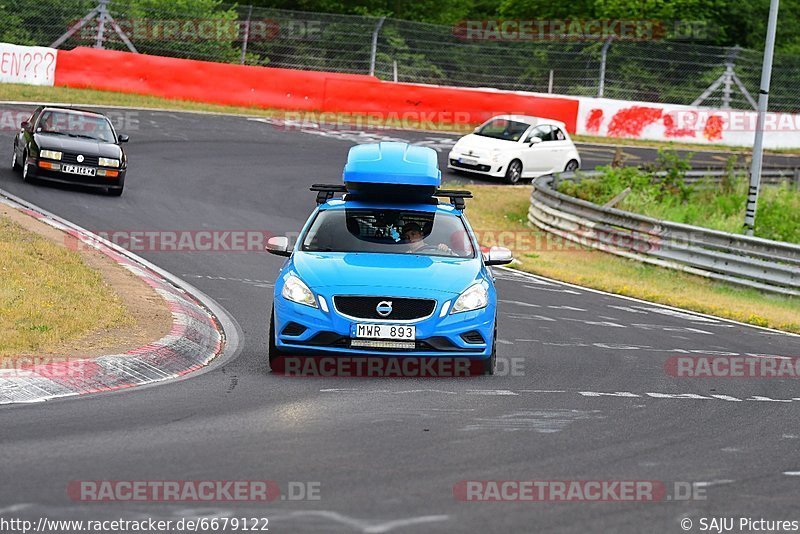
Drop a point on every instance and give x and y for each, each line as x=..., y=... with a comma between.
x=221, y=83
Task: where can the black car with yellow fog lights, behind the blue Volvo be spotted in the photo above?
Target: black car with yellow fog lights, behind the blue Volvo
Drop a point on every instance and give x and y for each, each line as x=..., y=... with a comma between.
x=71, y=146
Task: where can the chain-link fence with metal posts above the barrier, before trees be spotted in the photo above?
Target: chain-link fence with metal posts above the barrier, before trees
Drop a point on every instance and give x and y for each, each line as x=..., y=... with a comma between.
x=676, y=72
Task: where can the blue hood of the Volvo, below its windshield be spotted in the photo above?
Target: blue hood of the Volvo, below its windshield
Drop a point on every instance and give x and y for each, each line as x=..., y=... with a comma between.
x=379, y=272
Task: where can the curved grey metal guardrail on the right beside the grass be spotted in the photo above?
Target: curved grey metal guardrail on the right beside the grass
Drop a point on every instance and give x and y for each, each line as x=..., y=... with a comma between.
x=759, y=263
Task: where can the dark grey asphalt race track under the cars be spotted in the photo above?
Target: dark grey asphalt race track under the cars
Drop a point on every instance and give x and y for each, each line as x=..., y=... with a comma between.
x=387, y=452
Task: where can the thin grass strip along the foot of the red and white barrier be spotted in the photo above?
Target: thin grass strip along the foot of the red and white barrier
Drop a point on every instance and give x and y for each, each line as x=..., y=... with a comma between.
x=31, y=93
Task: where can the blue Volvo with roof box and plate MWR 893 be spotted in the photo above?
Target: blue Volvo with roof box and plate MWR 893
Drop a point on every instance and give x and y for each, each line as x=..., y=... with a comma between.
x=386, y=268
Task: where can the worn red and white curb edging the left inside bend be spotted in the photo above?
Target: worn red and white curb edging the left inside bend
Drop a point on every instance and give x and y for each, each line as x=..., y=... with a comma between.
x=196, y=338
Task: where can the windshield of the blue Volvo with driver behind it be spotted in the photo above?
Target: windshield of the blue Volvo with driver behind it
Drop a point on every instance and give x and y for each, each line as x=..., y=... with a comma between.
x=388, y=231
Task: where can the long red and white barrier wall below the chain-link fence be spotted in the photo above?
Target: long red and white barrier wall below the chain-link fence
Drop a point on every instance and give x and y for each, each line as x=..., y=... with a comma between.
x=290, y=89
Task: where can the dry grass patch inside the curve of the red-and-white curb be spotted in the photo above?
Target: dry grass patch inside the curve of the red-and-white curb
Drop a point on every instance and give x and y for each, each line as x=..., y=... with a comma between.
x=48, y=296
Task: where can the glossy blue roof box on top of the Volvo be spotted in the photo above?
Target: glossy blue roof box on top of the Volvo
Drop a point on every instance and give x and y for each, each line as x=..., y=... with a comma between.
x=392, y=168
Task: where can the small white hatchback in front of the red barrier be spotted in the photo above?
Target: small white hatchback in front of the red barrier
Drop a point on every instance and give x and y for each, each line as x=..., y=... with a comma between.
x=515, y=147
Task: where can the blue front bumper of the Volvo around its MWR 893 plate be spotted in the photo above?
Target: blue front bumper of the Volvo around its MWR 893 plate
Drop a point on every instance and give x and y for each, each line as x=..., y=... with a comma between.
x=305, y=330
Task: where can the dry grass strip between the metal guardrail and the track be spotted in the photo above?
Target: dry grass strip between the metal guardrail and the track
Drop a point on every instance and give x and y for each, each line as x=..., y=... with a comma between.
x=499, y=216
